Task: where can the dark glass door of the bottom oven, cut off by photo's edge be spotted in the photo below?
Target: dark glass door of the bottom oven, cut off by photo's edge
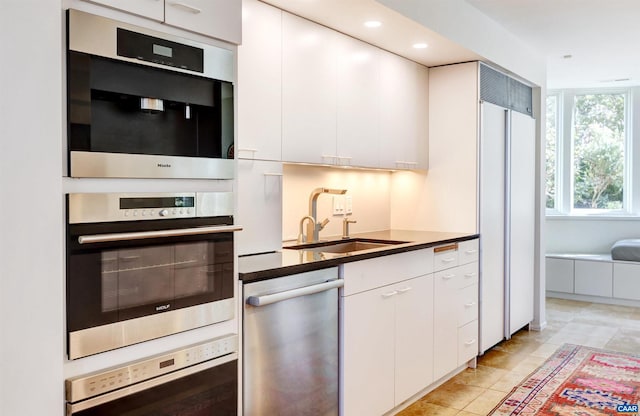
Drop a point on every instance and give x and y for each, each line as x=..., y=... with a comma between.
x=205, y=393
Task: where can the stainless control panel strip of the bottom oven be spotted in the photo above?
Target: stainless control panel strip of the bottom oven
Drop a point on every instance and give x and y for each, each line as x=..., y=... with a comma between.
x=95, y=384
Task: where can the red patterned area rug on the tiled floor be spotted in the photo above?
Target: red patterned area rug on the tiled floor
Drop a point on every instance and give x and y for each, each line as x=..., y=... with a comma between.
x=578, y=381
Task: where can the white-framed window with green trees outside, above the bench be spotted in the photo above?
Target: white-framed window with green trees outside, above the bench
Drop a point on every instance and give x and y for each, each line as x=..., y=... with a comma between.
x=587, y=152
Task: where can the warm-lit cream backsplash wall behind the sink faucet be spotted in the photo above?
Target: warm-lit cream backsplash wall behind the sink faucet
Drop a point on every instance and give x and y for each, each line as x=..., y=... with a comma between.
x=370, y=191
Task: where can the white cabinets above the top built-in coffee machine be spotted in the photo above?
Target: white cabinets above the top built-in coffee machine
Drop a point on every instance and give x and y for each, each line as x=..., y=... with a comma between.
x=220, y=19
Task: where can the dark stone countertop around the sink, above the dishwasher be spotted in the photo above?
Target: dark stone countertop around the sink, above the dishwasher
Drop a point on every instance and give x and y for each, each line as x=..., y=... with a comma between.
x=287, y=261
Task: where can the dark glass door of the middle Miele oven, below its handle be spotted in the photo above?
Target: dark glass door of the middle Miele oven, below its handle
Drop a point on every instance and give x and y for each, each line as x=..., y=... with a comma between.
x=126, y=280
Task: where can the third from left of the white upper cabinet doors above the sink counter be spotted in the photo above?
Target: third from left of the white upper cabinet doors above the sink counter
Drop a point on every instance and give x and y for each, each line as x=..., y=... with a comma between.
x=358, y=105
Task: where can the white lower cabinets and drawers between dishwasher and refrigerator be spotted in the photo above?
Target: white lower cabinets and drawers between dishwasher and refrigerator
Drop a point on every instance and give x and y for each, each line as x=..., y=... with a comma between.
x=405, y=327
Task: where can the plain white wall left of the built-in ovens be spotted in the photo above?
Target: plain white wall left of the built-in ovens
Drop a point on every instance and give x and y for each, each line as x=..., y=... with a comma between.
x=31, y=213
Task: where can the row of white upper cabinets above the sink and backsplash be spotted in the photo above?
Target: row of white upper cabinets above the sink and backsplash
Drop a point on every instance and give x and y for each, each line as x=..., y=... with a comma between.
x=309, y=94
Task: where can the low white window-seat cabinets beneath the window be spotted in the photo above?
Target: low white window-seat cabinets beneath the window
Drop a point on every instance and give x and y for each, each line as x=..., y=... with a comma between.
x=594, y=275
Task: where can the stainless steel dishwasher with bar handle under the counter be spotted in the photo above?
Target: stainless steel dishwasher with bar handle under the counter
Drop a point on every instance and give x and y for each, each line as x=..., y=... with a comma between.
x=290, y=360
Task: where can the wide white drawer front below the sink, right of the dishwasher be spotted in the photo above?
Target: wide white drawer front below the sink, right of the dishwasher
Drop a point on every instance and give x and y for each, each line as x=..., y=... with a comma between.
x=369, y=274
